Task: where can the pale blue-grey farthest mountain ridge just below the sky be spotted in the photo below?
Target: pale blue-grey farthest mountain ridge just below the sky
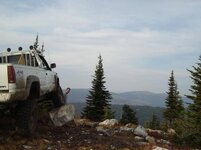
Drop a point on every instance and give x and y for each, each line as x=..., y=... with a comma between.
x=142, y=98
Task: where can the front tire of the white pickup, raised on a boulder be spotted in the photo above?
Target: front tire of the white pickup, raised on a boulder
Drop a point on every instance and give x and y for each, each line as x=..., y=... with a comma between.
x=58, y=97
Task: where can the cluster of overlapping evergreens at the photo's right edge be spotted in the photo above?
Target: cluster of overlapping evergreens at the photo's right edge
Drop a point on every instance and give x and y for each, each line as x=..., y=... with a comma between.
x=185, y=121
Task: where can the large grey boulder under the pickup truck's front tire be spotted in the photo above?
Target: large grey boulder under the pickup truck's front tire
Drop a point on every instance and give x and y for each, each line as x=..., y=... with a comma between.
x=62, y=115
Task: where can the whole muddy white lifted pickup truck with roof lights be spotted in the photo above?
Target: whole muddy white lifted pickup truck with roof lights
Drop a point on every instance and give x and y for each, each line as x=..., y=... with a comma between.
x=25, y=80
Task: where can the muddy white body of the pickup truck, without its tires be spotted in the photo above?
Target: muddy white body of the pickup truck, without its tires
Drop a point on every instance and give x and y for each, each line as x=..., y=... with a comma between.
x=19, y=68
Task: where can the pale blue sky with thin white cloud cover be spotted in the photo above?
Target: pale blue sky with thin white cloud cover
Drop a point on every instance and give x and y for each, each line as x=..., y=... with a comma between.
x=140, y=41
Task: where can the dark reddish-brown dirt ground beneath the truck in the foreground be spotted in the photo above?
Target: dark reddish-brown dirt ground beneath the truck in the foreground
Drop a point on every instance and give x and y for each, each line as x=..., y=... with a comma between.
x=67, y=137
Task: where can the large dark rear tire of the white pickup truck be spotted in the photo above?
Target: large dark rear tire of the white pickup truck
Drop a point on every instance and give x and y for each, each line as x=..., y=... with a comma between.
x=27, y=116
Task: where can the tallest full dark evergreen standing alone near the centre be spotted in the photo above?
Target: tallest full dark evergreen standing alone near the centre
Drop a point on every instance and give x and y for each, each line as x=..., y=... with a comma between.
x=99, y=98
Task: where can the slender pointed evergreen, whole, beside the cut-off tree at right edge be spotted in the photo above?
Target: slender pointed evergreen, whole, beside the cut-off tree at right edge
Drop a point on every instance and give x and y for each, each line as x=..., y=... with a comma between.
x=174, y=103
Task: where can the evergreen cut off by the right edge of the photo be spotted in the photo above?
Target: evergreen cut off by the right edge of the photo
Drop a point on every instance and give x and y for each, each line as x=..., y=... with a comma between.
x=194, y=109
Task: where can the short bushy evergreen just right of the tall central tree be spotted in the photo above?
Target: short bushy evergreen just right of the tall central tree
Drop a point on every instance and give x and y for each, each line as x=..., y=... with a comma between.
x=128, y=115
